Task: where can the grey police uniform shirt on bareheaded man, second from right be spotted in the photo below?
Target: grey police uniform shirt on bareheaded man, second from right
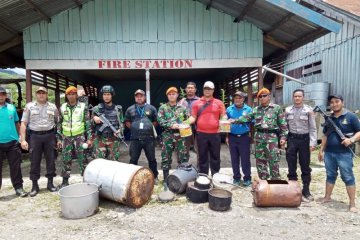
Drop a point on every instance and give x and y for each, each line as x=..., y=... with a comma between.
x=302, y=121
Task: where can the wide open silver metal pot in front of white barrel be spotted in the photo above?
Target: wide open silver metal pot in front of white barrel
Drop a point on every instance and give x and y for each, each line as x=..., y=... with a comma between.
x=79, y=200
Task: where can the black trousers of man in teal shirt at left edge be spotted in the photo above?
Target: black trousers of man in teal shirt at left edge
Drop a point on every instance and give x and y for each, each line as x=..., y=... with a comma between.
x=12, y=152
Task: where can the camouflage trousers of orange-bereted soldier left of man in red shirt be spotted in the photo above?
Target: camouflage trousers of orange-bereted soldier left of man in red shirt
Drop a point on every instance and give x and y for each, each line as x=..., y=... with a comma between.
x=172, y=142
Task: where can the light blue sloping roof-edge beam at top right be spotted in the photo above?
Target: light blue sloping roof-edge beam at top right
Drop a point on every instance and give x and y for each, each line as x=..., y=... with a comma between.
x=307, y=14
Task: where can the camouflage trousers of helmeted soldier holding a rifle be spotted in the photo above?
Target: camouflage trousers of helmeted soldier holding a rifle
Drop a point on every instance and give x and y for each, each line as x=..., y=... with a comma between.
x=107, y=148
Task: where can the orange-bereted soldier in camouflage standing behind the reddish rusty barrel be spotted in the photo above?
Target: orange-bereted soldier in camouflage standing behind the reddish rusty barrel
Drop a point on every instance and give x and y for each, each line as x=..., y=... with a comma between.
x=270, y=124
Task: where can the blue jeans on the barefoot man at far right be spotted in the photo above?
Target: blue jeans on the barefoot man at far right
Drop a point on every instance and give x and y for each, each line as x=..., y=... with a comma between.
x=343, y=162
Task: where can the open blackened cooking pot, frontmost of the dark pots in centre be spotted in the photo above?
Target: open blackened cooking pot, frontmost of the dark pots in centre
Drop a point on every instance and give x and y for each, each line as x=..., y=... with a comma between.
x=219, y=199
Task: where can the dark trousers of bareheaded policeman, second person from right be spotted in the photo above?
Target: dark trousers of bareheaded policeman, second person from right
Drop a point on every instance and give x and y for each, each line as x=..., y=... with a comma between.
x=299, y=146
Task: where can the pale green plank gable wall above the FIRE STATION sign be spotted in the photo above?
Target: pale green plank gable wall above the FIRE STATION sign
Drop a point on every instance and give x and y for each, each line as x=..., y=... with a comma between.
x=142, y=29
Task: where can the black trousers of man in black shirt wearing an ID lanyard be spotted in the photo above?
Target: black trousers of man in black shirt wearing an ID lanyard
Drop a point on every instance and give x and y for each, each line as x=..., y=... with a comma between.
x=149, y=148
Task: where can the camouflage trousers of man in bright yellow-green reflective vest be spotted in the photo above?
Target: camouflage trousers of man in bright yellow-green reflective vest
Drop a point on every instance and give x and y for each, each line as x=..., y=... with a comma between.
x=73, y=146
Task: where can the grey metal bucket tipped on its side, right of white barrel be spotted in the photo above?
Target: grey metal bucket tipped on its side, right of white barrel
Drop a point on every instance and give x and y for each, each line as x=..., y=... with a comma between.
x=177, y=181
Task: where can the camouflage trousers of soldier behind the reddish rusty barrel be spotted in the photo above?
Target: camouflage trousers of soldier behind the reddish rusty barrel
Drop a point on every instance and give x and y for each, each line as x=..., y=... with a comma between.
x=267, y=158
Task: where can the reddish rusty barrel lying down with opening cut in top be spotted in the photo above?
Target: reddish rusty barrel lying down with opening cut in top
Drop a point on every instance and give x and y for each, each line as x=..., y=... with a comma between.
x=276, y=193
